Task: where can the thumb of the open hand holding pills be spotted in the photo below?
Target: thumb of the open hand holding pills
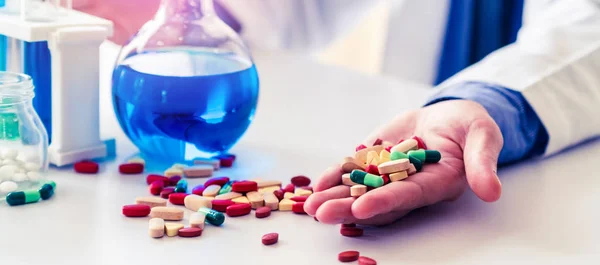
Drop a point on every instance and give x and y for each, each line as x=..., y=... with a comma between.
x=483, y=143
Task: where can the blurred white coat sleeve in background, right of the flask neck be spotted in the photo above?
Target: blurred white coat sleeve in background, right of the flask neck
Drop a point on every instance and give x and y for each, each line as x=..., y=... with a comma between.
x=296, y=25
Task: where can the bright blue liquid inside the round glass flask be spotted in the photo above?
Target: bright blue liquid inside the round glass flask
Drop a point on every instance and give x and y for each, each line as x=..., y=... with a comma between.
x=176, y=105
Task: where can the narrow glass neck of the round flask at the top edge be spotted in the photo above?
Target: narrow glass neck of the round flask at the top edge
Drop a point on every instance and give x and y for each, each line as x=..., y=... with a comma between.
x=185, y=9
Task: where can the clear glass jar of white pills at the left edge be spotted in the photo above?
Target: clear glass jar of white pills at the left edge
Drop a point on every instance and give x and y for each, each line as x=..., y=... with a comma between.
x=23, y=138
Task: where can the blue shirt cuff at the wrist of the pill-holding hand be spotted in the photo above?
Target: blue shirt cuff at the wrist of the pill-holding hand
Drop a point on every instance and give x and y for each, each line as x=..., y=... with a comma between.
x=524, y=134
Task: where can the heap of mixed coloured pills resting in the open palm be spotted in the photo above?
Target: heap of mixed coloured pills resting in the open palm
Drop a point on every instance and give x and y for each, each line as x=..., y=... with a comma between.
x=384, y=162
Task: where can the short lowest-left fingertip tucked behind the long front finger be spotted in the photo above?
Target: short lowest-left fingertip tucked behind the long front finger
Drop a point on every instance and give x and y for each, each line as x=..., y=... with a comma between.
x=336, y=211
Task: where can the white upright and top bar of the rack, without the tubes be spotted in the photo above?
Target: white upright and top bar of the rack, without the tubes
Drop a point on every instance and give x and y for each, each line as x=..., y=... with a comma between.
x=74, y=40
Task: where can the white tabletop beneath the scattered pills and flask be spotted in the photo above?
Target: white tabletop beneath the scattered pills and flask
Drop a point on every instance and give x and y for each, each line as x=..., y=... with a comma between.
x=548, y=214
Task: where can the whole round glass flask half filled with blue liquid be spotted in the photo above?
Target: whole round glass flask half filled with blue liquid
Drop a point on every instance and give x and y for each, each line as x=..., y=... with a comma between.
x=185, y=85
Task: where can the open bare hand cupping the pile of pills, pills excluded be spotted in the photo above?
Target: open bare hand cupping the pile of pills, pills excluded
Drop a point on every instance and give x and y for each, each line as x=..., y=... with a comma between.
x=462, y=131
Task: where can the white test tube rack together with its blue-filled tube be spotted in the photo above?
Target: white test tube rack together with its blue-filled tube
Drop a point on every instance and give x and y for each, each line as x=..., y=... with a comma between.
x=71, y=93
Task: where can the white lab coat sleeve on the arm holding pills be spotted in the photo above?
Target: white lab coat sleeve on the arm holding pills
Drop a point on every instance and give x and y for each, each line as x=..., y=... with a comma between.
x=555, y=63
